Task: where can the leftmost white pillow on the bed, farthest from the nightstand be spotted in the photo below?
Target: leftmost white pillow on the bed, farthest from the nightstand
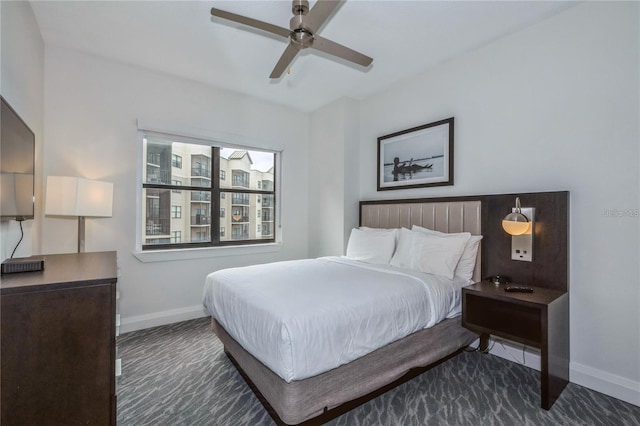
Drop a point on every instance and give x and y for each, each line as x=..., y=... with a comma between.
x=371, y=245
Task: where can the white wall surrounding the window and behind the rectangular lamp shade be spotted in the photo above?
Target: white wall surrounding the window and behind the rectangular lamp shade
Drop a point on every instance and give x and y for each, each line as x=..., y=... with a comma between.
x=91, y=108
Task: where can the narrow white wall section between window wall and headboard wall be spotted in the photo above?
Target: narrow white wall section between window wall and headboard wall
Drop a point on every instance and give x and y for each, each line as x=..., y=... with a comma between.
x=334, y=176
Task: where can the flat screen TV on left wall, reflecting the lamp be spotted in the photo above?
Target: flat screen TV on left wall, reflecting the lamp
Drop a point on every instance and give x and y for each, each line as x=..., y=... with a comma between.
x=17, y=165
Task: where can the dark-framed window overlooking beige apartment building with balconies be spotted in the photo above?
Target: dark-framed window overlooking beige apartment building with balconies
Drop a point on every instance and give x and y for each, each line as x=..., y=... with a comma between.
x=189, y=209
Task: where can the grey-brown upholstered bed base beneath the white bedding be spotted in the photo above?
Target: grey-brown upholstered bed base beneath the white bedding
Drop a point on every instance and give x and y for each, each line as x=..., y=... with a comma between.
x=306, y=399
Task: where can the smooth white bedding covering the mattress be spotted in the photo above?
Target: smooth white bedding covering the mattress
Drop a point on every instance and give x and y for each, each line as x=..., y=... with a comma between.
x=302, y=318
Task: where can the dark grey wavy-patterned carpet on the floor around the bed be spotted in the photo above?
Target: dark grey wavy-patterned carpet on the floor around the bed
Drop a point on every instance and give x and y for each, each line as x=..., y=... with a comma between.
x=179, y=375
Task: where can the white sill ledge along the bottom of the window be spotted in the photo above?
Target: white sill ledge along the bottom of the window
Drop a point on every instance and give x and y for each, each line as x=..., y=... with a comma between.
x=148, y=256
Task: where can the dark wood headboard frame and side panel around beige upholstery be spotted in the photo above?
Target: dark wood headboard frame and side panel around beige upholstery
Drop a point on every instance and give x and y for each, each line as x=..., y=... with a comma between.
x=550, y=266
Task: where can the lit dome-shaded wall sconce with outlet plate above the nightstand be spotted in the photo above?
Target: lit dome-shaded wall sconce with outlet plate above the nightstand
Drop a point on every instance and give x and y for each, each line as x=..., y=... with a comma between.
x=519, y=224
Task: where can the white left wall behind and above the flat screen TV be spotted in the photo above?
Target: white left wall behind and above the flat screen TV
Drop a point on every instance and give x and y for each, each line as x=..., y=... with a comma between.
x=22, y=85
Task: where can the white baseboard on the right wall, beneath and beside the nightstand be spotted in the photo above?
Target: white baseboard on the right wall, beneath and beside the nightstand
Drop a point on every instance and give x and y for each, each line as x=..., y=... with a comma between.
x=600, y=381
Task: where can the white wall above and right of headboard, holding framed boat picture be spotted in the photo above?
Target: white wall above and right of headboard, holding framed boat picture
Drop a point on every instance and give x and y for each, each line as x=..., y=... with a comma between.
x=555, y=107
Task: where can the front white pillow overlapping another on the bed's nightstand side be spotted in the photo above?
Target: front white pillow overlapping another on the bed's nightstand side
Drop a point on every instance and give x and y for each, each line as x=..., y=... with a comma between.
x=439, y=254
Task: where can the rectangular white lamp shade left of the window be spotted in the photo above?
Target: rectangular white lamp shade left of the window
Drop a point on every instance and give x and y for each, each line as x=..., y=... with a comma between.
x=73, y=196
